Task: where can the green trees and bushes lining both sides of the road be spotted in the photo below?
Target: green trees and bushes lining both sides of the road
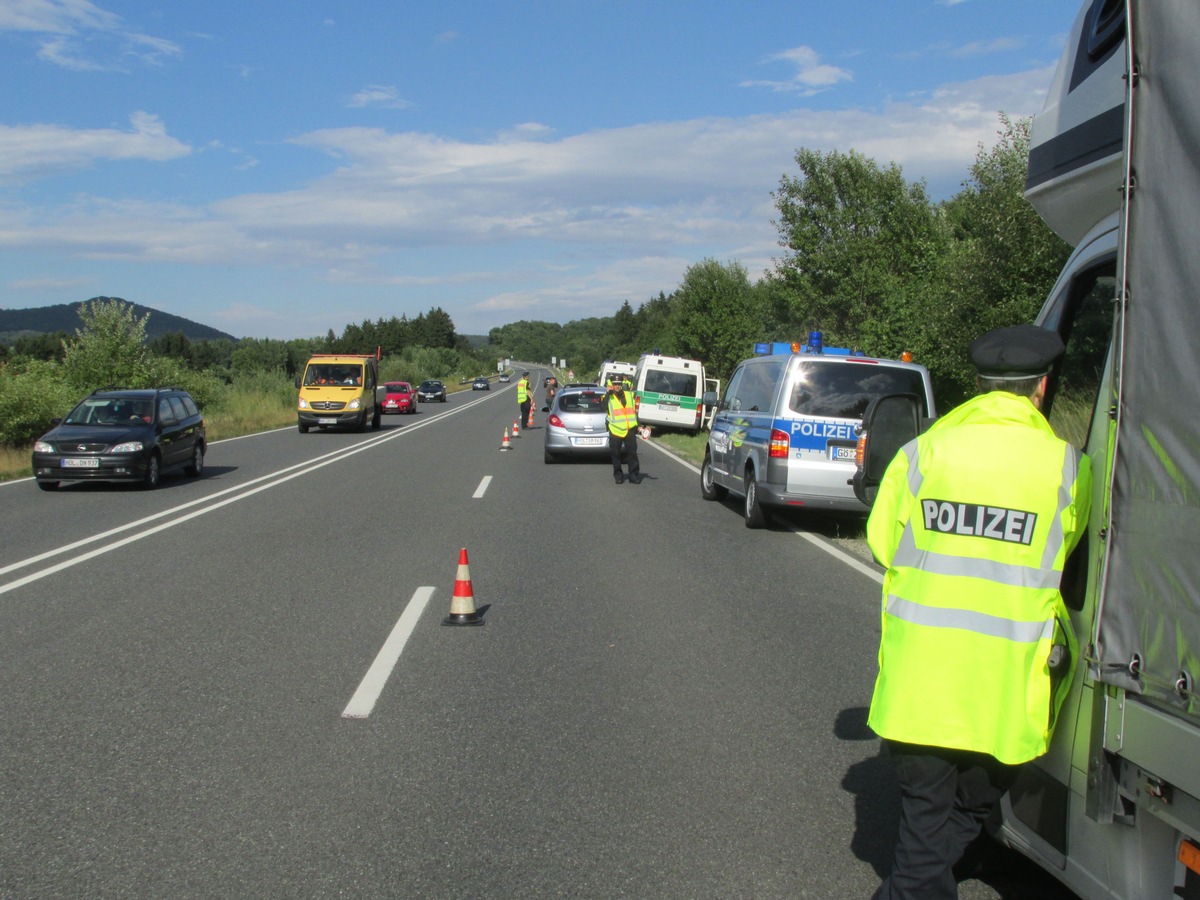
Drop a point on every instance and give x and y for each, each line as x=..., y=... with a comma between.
x=866, y=259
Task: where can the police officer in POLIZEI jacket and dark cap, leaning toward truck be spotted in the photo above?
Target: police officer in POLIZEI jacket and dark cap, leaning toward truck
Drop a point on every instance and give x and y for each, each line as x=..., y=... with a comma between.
x=974, y=521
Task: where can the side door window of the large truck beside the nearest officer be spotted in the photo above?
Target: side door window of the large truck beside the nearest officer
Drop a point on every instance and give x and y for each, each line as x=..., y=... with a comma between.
x=1084, y=317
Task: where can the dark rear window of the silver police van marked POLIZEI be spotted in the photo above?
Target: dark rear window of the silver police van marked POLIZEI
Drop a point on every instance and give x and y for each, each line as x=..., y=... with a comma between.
x=844, y=391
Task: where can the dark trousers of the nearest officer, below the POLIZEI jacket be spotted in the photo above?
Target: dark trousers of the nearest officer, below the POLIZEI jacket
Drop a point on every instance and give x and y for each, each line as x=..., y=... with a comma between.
x=947, y=796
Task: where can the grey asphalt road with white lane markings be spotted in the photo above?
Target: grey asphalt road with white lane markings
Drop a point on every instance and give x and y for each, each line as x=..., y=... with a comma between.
x=214, y=689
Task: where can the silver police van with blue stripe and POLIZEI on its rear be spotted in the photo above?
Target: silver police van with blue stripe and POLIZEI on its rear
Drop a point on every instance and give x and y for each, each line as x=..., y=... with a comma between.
x=784, y=433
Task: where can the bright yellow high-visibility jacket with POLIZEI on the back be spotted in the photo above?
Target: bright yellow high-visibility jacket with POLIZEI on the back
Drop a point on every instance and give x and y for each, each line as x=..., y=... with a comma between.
x=975, y=521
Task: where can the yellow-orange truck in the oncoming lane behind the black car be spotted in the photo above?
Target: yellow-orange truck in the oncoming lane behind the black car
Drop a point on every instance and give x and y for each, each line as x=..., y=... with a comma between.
x=339, y=391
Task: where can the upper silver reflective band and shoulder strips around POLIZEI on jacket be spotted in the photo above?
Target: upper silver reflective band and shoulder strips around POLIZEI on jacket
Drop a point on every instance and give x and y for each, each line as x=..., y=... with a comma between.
x=1046, y=577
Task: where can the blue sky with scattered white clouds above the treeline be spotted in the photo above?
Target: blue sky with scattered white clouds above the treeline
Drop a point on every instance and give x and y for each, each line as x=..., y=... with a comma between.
x=278, y=170
